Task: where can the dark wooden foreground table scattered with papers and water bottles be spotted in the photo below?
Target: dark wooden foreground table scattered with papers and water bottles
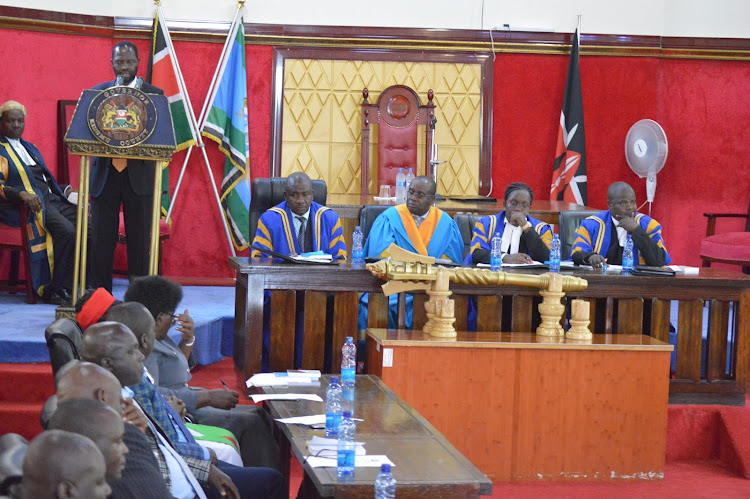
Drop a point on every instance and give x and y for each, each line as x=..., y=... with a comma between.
x=426, y=464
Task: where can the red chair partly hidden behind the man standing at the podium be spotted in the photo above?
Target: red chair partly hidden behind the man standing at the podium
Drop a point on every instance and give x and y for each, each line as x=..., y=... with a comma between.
x=69, y=175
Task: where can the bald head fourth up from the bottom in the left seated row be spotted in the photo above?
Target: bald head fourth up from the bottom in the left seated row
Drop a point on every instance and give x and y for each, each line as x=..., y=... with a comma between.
x=114, y=347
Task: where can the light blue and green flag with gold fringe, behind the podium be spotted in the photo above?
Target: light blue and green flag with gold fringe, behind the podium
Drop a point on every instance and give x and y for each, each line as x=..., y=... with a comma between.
x=226, y=123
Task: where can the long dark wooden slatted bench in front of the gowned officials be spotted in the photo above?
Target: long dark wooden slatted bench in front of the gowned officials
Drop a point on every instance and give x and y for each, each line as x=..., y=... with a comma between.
x=621, y=303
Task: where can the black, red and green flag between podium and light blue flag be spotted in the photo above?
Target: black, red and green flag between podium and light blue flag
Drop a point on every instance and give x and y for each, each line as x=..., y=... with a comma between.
x=162, y=72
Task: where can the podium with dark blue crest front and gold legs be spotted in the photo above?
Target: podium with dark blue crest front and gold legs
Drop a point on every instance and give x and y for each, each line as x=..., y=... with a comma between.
x=119, y=122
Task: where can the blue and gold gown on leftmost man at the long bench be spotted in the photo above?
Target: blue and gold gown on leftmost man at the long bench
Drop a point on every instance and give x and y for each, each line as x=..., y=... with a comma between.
x=276, y=231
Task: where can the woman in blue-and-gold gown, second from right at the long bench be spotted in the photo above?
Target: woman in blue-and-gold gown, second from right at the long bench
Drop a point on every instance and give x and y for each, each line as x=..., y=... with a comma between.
x=523, y=238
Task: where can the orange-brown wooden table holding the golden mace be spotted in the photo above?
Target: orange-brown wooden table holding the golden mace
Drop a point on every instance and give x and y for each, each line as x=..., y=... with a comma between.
x=524, y=407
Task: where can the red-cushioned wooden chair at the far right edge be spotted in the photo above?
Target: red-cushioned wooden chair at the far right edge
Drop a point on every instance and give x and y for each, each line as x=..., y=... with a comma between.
x=728, y=247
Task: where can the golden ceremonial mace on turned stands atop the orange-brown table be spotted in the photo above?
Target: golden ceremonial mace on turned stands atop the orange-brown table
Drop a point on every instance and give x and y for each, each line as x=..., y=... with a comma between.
x=407, y=271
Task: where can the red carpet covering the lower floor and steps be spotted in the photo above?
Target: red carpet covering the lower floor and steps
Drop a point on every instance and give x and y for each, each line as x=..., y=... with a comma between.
x=708, y=447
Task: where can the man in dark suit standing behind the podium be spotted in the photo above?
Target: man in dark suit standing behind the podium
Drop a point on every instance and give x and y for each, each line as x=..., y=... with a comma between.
x=118, y=181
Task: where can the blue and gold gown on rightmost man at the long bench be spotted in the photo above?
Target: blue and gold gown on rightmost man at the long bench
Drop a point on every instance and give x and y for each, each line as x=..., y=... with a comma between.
x=594, y=235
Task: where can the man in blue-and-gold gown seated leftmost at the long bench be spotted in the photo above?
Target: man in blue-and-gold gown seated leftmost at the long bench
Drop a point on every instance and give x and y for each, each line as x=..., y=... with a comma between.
x=296, y=225
